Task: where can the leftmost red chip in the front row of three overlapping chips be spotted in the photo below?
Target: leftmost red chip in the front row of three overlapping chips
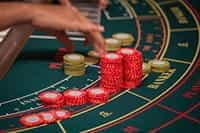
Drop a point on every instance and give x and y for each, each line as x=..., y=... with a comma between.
x=31, y=120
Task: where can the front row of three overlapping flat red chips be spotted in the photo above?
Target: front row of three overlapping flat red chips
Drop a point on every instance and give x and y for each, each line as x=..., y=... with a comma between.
x=47, y=117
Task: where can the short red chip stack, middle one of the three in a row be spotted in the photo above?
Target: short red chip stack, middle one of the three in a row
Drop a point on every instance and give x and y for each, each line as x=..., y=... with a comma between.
x=75, y=97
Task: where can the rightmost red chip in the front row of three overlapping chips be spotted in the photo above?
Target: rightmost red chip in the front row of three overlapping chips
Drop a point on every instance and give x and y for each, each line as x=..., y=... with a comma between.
x=61, y=114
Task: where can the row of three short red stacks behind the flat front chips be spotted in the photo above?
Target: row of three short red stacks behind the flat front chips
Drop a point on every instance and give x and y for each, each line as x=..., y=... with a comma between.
x=72, y=97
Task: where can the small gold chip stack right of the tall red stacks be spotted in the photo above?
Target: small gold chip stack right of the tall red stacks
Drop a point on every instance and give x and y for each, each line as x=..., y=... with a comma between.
x=159, y=65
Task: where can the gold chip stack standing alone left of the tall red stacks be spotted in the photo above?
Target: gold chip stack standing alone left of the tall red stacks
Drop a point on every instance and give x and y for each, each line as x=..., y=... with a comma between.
x=74, y=64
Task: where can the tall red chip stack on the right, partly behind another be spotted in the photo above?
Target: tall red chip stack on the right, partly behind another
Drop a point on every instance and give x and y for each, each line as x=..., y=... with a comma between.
x=132, y=65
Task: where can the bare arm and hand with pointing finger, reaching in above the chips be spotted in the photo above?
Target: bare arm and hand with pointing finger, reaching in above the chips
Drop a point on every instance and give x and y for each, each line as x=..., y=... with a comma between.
x=55, y=17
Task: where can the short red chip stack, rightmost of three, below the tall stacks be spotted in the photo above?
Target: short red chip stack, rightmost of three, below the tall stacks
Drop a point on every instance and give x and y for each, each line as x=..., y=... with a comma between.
x=97, y=95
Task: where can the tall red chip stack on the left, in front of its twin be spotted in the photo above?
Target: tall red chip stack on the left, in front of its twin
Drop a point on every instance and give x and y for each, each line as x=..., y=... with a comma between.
x=111, y=72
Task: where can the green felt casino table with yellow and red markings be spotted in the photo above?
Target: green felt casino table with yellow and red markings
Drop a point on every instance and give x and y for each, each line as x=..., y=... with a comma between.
x=165, y=102
